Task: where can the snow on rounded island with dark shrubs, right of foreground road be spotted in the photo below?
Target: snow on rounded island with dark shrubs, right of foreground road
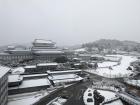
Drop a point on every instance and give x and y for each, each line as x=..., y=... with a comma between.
x=107, y=94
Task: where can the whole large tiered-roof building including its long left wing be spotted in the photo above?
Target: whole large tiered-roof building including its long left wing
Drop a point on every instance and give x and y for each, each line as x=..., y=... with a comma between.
x=40, y=50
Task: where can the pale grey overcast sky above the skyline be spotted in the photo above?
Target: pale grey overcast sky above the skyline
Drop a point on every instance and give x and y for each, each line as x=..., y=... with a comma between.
x=69, y=22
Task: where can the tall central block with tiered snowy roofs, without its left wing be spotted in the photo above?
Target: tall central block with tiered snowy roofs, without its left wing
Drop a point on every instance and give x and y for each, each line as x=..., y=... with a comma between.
x=45, y=50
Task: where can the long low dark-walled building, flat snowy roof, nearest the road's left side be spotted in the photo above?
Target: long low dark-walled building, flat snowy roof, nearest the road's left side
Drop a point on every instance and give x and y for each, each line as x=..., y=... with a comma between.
x=30, y=85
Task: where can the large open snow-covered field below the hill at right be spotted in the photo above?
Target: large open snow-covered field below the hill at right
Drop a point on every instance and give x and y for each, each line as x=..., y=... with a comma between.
x=117, y=71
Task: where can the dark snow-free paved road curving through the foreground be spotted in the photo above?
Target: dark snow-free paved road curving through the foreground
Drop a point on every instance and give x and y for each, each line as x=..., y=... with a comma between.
x=76, y=94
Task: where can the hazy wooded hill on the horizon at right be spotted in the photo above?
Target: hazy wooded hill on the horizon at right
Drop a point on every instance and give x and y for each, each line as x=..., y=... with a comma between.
x=114, y=44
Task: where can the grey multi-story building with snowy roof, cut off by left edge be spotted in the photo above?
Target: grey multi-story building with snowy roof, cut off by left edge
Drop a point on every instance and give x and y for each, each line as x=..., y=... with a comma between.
x=4, y=85
